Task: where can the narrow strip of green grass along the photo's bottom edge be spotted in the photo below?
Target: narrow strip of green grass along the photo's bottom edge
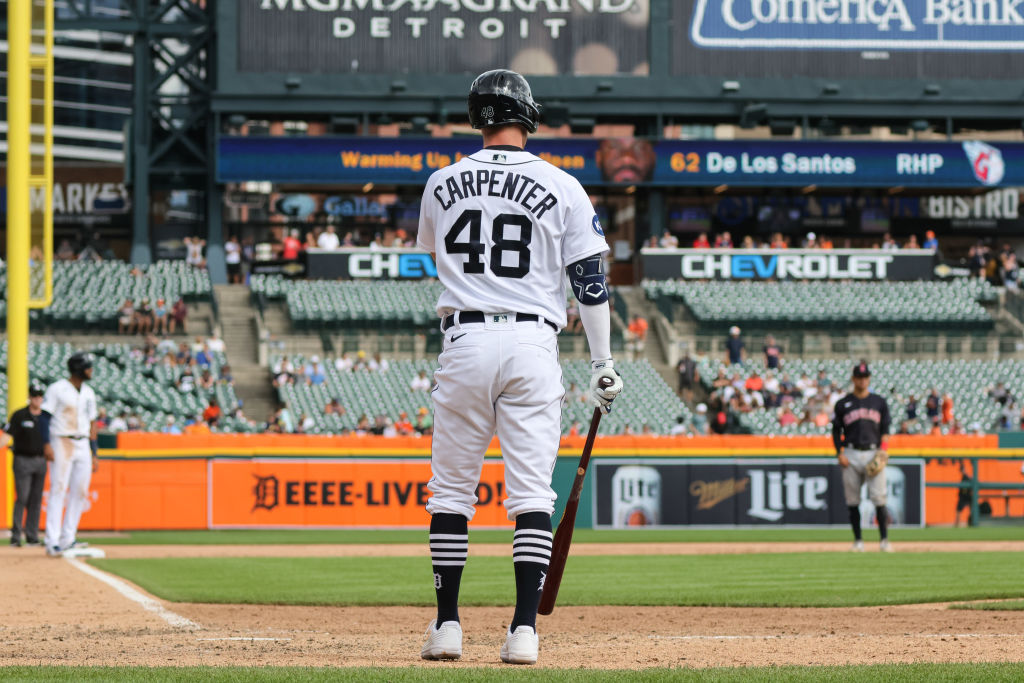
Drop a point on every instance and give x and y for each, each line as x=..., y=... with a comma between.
x=881, y=673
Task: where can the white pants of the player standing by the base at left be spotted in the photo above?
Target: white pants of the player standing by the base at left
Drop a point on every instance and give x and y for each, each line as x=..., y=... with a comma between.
x=71, y=473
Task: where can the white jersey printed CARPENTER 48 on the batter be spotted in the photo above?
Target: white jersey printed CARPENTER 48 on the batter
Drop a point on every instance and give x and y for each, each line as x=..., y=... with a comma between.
x=504, y=225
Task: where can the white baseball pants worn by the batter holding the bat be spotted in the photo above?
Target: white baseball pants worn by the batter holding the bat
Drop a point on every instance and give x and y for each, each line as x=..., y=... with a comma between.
x=498, y=376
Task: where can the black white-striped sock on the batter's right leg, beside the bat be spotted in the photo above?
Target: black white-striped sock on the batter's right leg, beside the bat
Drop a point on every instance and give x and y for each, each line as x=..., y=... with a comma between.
x=531, y=557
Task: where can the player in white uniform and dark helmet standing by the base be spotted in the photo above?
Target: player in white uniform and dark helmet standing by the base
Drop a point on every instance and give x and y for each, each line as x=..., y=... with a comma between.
x=72, y=405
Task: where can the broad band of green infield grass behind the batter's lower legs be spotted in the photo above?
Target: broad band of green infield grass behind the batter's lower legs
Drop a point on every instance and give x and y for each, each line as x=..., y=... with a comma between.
x=809, y=580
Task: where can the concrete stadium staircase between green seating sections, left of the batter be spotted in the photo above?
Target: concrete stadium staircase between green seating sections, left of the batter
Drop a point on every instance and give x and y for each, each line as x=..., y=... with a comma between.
x=239, y=331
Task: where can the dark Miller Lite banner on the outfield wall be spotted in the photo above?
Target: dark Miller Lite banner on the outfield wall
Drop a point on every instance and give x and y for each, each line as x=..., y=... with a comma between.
x=804, y=492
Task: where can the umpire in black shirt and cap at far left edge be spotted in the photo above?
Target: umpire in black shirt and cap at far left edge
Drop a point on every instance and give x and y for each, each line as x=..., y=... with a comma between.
x=29, y=429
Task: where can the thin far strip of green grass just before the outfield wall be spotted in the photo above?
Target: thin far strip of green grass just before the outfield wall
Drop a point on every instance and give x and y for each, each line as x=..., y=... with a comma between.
x=306, y=537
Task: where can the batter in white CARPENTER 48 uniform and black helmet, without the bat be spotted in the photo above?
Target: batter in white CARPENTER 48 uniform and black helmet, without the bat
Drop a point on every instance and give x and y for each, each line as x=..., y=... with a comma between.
x=504, y=228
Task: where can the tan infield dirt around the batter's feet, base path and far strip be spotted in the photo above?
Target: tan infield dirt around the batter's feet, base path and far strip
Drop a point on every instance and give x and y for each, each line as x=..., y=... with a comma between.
x=58, y=615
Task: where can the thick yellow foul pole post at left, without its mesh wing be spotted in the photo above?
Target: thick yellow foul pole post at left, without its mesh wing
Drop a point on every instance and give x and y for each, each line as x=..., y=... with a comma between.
x=19, y=220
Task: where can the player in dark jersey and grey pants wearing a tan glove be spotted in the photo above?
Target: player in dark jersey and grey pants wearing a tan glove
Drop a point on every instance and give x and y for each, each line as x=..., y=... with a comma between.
x=861, y=433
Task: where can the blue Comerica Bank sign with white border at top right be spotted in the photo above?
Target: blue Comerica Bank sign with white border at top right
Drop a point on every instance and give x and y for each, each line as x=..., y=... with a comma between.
x=892, y=25
